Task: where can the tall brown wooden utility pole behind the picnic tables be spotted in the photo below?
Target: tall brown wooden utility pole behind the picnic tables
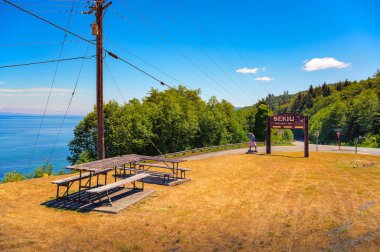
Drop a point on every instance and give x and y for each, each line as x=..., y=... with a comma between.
x=97, y=29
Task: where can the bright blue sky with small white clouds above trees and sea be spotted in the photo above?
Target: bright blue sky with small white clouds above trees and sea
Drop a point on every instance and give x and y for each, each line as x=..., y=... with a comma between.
x=236, y=50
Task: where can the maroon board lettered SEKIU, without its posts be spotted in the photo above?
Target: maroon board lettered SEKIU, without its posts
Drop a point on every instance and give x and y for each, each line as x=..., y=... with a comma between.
x=287, y=121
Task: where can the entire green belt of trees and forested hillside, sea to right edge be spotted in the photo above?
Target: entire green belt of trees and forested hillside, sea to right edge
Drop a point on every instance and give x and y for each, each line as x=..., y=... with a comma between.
x=178, y=119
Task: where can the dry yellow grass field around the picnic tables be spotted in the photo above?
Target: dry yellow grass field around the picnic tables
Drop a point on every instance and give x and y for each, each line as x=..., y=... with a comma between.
x=236, y=202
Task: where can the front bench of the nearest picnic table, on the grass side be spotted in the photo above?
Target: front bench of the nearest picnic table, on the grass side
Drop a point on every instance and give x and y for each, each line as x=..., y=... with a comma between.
x=106, y=188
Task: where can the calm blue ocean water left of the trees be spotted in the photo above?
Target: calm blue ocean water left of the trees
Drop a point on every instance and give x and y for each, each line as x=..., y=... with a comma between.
x=18, y=134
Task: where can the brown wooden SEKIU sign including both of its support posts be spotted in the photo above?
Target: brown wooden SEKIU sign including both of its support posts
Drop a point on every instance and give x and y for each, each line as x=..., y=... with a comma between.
x=288, y=121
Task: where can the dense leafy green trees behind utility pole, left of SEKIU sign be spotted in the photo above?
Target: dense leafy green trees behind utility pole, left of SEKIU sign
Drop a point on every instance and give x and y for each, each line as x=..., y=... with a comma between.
x=166, y=121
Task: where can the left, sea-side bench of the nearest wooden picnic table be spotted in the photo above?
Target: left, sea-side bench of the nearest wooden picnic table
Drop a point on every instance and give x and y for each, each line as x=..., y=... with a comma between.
x=68, y=182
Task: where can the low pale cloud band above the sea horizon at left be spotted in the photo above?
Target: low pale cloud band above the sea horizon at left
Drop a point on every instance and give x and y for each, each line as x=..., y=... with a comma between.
x=22, y=92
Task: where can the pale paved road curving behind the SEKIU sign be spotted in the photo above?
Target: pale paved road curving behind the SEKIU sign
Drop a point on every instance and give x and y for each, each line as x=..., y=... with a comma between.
x=298, y=146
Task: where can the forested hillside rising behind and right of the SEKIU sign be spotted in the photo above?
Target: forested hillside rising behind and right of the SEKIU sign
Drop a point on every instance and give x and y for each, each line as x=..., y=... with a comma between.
x=353, y=107
